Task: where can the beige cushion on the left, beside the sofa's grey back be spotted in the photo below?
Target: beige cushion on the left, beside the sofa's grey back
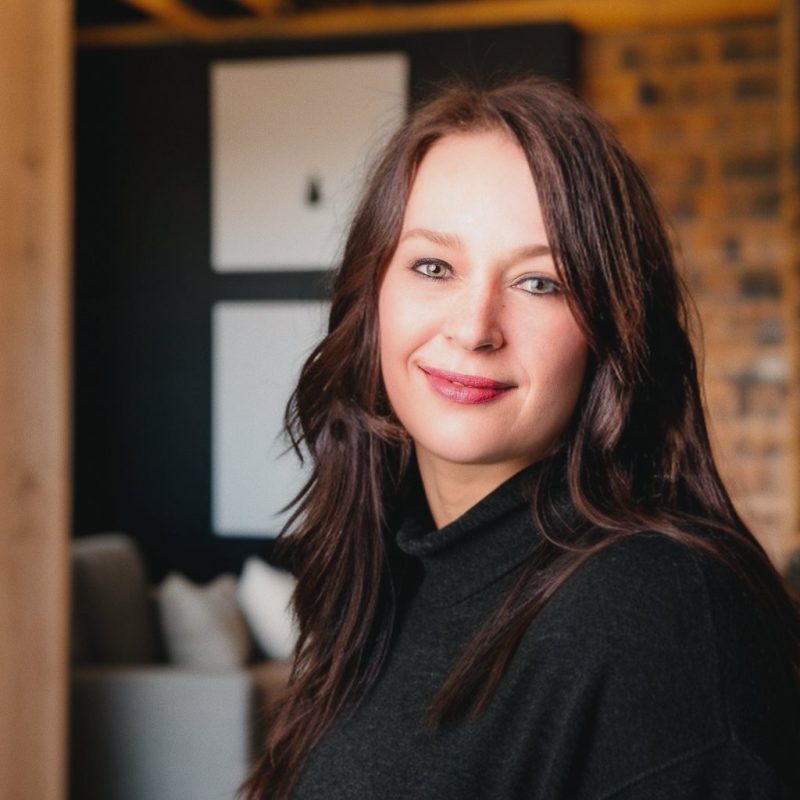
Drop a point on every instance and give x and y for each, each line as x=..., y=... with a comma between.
x=203, y=627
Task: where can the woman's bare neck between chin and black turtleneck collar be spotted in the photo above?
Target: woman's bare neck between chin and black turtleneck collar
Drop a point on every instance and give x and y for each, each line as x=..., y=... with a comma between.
x=452, y=489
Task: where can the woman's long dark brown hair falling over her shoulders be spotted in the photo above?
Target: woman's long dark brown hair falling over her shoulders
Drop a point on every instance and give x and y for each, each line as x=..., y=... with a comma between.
x=636, y=456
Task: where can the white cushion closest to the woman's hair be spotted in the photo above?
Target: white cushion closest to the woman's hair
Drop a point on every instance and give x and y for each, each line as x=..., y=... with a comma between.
x=264, y=596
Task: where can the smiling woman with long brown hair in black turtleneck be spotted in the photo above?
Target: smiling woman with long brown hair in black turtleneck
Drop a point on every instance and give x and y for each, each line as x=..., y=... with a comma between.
x=519, y=574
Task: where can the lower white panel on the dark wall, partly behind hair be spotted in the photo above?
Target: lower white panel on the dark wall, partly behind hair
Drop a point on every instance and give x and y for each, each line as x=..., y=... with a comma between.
x=258, y=349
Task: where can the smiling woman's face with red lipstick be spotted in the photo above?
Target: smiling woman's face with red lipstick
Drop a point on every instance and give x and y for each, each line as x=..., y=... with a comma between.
x=481, y=357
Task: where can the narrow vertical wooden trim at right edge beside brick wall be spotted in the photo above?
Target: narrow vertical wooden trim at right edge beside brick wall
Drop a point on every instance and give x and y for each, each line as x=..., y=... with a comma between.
x=790, y=220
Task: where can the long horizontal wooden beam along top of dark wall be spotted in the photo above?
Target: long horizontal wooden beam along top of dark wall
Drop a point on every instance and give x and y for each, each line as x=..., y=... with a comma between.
x=586, y=15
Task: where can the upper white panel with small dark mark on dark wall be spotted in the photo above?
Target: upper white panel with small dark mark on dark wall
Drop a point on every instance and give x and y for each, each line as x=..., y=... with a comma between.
x=290, y=142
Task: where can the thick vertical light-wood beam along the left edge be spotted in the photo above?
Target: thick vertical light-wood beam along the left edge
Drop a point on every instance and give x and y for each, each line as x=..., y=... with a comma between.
x=35, y=332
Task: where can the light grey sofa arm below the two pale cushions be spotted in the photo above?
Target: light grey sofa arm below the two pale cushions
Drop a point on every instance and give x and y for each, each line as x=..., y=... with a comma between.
x=160, y=732
